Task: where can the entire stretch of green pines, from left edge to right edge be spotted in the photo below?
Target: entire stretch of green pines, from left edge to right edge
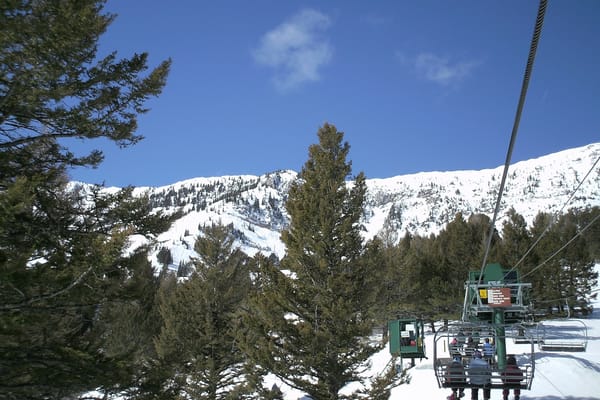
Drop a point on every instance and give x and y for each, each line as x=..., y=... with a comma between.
x=85, y=316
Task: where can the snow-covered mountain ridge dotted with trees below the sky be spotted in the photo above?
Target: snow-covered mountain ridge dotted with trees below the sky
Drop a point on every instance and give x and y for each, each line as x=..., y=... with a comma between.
x=420, y=203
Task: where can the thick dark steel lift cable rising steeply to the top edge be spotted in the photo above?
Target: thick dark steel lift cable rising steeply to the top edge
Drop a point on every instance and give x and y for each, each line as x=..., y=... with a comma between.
x=528, y=69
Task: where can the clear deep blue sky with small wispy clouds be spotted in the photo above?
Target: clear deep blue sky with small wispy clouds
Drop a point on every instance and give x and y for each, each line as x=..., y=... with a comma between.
x=414, y=85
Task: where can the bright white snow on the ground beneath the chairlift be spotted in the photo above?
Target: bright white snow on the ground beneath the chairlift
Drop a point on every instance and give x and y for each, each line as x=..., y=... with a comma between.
x=571, y=375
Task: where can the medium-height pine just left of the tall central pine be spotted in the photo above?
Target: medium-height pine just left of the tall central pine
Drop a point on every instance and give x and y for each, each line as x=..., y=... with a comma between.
x=197, y=341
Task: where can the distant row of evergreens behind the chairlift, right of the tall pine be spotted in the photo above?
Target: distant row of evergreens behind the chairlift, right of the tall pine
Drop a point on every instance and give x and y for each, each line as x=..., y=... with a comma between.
x=426, y=275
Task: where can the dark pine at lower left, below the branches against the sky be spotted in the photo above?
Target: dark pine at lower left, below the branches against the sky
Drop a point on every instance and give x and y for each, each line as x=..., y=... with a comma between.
x=63, y=273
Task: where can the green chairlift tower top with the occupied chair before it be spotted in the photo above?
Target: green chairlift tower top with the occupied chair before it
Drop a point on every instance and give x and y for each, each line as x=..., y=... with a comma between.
x=496, y=307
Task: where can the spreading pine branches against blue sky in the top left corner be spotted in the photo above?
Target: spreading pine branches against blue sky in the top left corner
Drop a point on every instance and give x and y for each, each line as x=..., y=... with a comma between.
x=53, y=85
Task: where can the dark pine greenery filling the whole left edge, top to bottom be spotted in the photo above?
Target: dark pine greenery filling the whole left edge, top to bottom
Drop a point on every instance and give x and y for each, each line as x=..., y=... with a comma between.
x=64, y=268
